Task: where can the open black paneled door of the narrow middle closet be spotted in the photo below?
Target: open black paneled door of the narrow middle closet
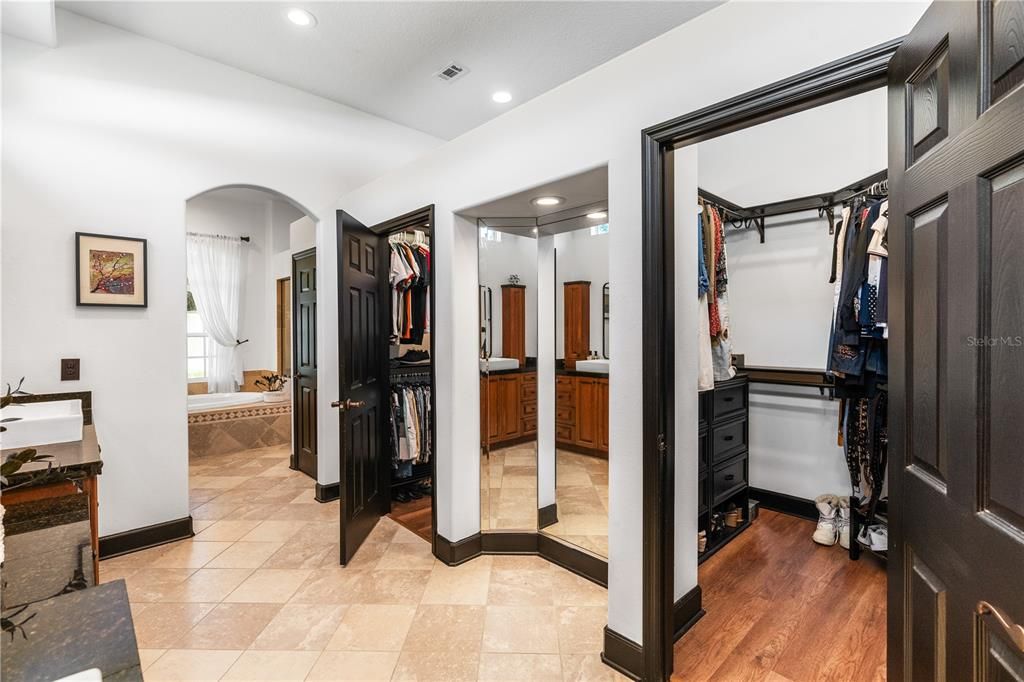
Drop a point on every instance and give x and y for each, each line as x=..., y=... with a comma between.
x=363, y=324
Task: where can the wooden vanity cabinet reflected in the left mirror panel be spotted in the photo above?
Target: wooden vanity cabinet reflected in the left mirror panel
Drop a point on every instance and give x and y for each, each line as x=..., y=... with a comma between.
x=508, y=408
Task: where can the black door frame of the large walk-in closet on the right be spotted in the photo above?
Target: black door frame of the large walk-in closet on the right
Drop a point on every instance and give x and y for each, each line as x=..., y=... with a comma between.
x=850, y=76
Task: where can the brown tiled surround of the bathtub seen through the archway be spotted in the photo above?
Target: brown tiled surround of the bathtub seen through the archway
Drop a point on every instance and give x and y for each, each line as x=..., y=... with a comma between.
x=239, y=429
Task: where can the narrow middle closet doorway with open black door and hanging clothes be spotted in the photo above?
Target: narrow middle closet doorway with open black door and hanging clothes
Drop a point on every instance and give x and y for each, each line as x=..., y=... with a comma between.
x=389, y=442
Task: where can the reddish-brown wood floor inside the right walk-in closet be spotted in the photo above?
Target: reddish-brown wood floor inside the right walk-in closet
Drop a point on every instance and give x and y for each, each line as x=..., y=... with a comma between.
x=781, y=609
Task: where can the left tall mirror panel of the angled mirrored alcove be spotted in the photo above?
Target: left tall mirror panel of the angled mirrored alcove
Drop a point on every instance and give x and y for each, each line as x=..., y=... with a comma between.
x=507, y=300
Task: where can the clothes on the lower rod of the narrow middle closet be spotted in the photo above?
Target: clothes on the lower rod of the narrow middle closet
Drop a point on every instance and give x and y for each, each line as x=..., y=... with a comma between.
x=411, y=424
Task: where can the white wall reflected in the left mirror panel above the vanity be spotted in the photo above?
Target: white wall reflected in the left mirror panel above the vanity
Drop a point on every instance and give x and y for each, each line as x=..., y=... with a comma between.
x=514, y=255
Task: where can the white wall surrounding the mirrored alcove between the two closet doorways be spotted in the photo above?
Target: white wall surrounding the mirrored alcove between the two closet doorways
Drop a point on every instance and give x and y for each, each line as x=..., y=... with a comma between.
x=563, y=134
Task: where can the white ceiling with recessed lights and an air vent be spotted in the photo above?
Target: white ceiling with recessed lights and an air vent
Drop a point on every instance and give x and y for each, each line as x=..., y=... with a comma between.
x=381, y=57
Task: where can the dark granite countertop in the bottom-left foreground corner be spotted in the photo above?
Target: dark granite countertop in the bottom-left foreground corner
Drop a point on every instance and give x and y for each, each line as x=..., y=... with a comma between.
x=74, y=632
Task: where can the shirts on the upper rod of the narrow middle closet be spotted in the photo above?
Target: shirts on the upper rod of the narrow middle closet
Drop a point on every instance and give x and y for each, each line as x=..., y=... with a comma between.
x=410, y=281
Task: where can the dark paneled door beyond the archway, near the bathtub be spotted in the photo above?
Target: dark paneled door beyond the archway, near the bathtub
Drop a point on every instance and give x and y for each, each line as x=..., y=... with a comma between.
x=305, y=359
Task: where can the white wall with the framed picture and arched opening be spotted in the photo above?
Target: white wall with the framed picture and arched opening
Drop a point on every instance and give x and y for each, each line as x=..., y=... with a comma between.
x=112, y=134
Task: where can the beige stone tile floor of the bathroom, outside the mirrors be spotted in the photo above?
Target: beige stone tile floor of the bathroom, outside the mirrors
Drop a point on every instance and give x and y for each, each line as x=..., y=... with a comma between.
x=258, y=595
